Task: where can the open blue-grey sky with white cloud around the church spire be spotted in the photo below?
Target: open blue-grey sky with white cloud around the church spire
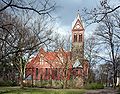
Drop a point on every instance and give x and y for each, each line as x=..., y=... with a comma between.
x=67, y=11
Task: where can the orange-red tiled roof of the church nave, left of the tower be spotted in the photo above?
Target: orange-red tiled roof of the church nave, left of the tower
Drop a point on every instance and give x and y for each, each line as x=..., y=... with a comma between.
x=52, y=58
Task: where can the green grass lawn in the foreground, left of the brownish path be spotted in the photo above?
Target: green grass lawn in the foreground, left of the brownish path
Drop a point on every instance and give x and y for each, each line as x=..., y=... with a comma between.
x=17, y=90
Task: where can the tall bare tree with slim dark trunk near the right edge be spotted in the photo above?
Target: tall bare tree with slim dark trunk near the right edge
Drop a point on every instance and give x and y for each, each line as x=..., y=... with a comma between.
x=106, y=32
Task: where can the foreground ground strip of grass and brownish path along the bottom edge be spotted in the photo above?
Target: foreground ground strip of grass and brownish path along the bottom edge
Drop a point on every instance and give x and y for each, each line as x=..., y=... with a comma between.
x=17, y=90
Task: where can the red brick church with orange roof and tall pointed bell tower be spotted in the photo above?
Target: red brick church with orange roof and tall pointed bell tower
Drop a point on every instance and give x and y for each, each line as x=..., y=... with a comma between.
x=61, y=65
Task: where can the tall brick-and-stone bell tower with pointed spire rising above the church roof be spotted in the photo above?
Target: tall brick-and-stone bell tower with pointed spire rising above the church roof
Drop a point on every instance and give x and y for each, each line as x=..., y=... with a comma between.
x=77, y=39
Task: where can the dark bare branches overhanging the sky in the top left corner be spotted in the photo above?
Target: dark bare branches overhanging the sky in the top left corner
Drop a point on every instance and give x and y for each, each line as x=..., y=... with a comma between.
x=39, y=7
